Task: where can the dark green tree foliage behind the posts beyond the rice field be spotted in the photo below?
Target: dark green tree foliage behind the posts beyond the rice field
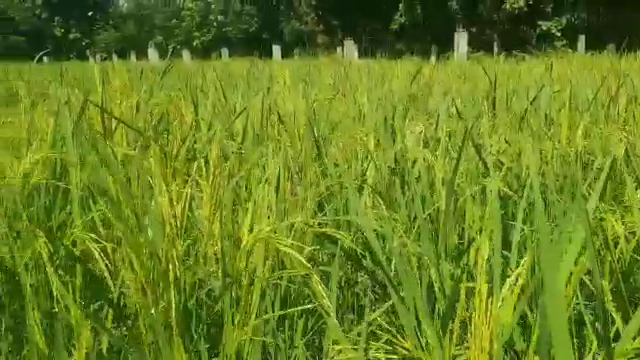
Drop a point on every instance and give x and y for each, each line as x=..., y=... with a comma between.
x=390, y=27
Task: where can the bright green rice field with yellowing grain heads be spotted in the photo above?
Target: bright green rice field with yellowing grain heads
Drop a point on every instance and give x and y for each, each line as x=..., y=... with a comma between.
x=316, y=209
